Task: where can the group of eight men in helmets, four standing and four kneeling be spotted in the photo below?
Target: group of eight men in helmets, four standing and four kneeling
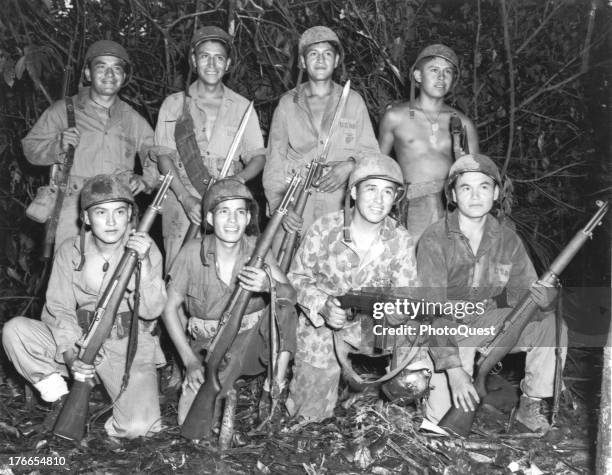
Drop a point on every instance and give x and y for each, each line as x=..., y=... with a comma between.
x=464, y=255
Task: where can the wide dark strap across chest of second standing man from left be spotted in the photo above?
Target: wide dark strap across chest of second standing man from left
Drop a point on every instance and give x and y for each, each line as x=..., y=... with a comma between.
x=188, y=149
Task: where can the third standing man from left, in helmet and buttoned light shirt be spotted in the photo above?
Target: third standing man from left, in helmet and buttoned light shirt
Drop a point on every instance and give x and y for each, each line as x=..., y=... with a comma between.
x=300, y=125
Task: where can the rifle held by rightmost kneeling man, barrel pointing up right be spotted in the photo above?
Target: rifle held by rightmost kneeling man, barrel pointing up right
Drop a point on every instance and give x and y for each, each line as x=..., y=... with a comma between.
x=456, y=420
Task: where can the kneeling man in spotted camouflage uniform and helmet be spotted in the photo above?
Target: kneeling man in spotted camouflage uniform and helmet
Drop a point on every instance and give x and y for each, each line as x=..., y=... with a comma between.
x=343, y=251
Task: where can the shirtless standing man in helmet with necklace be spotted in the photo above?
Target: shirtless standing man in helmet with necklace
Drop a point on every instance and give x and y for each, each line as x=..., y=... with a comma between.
x=418, y=132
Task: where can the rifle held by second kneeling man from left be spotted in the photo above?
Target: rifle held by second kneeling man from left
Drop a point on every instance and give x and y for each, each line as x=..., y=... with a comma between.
x=201, y=416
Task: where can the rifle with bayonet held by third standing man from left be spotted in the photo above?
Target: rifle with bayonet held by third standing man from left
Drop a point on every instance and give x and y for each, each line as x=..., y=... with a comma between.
x=287, y=248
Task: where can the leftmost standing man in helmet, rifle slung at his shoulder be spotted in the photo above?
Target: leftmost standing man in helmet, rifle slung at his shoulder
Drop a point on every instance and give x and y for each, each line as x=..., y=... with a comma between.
x=107, y=136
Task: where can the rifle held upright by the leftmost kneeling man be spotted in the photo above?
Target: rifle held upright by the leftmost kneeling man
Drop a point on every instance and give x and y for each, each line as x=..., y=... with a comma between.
x=71, y=421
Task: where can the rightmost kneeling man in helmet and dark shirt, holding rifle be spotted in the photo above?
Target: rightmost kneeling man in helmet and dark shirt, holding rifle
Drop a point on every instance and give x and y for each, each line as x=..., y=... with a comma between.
x=471, y=257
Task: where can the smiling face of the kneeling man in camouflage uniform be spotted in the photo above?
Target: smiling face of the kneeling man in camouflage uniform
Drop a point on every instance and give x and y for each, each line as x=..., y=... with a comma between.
x=374, y=198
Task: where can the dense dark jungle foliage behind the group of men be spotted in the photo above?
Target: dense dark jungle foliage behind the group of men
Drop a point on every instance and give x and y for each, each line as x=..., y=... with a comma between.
x=534, y=78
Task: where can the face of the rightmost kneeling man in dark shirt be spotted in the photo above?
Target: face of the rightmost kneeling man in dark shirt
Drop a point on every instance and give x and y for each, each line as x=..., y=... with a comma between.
x=474, y=193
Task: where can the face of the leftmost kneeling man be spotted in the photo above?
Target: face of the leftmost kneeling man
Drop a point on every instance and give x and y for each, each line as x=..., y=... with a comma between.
x=109, y=221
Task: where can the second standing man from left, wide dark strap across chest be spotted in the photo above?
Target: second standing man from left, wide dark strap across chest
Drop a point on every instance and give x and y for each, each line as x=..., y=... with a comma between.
x=194, y=132
